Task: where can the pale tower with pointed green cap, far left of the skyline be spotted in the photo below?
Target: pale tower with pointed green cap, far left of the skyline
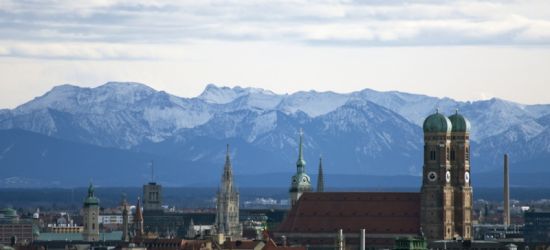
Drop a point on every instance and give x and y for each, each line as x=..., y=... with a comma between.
x=91, y=216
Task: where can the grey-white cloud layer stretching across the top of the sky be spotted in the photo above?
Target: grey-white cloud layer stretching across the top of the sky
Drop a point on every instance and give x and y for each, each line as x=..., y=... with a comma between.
x=327, y=22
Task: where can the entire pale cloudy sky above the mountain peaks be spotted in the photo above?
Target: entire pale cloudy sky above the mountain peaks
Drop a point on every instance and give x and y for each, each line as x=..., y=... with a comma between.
x=466, y=50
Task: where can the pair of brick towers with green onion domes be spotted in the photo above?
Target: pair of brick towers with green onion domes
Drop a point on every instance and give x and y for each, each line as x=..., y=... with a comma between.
x=446, y=194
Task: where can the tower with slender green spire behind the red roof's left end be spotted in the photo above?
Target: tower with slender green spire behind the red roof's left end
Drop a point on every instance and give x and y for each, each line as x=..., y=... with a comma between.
x=300, y=182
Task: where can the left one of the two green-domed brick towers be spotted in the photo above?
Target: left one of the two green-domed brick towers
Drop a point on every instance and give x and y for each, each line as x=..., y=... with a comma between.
x=437, y=211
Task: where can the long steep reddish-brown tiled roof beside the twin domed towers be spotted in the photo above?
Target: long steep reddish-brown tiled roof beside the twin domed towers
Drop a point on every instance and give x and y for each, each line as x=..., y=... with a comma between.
x=377, y=212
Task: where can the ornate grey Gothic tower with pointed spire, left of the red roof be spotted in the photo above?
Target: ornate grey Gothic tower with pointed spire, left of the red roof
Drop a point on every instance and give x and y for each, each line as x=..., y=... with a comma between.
x=227, y=206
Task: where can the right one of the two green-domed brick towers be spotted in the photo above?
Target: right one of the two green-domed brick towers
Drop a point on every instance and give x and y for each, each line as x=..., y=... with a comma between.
x=460, y=175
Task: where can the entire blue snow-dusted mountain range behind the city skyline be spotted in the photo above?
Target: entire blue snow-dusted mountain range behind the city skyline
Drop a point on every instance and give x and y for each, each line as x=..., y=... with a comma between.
x=111, y=133
